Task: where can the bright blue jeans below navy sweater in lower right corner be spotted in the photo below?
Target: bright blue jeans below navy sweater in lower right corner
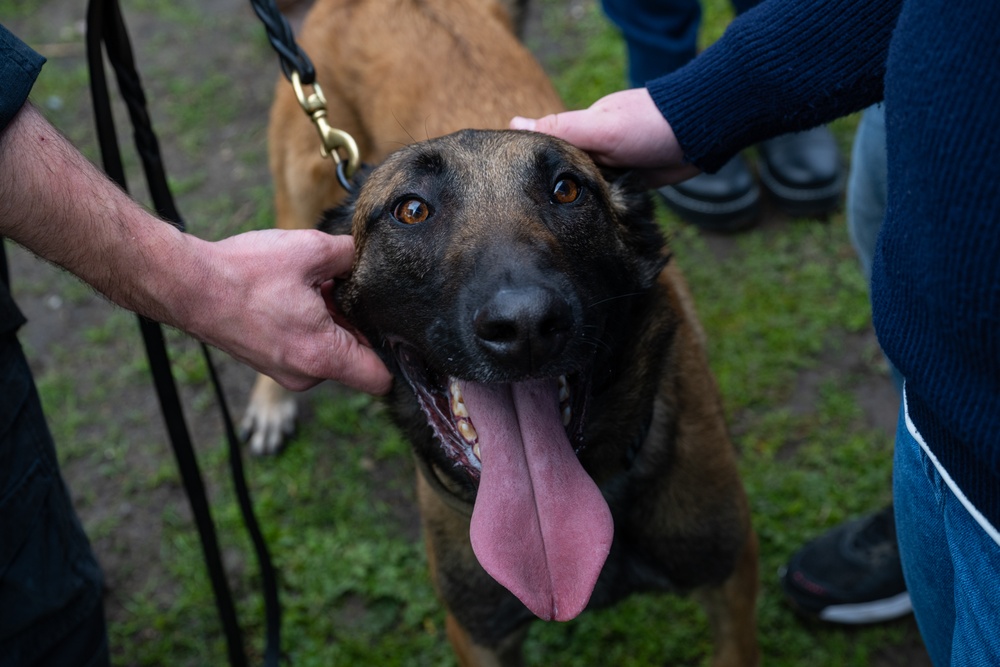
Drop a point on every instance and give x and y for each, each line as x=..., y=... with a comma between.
x=951, y=557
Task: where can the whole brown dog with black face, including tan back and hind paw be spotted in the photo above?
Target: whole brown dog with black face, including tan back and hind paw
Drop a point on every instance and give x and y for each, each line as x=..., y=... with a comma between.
x=515, y=290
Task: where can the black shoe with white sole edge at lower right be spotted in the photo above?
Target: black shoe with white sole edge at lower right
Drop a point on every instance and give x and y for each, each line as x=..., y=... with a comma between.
x=851, y=574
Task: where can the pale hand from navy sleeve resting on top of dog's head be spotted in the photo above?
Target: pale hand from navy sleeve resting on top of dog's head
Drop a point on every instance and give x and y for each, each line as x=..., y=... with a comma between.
x=624, y=129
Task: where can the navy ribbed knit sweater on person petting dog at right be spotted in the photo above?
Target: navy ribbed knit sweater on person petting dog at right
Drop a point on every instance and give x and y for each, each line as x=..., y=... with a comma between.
x=794, y=64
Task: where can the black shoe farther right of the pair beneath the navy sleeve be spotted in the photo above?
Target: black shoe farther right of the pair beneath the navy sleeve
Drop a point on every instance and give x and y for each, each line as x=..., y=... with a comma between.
x=803, y=172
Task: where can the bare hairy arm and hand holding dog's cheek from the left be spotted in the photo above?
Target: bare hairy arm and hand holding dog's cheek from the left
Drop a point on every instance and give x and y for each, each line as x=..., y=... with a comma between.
x=257, y=296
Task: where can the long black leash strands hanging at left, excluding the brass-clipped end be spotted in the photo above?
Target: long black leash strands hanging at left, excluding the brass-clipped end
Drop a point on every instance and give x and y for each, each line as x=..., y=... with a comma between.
x=106, y=28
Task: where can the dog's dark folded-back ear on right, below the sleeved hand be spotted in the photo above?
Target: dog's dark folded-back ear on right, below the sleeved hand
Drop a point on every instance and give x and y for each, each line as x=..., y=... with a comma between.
x=635, y=213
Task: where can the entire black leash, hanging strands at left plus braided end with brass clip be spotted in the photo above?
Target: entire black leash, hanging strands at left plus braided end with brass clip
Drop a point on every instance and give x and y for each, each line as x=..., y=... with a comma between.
x=106, y=28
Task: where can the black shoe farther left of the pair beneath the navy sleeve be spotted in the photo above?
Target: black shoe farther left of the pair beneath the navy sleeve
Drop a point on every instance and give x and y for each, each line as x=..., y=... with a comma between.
x=726, y=201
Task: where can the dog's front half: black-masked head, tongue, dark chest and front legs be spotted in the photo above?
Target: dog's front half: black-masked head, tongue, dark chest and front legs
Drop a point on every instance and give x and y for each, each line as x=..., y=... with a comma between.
x=552, y=381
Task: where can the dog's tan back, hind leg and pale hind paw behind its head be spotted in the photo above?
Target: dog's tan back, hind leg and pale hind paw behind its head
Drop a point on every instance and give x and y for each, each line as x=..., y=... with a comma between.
x=393, y=72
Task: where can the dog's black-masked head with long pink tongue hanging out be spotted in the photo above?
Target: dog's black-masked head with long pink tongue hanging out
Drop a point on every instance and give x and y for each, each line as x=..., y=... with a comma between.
x=495, y=272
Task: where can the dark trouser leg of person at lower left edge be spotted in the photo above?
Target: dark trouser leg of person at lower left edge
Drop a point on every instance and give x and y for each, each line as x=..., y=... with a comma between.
x=50, y=584
